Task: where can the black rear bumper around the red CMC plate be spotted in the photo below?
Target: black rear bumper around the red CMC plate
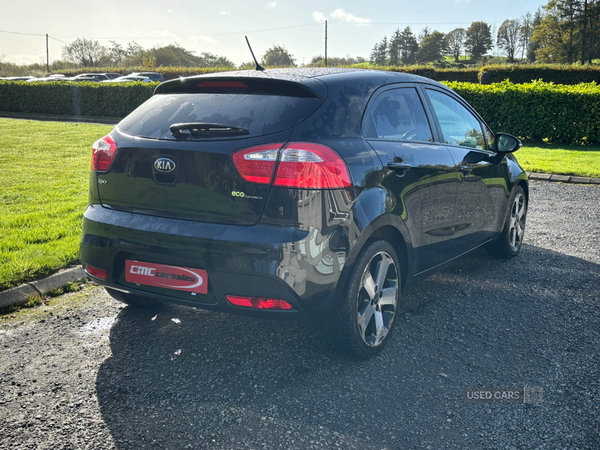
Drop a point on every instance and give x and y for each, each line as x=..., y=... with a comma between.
x=261, y=261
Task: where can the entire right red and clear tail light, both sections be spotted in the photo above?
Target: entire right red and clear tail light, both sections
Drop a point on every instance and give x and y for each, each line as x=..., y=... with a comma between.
x=301, y=165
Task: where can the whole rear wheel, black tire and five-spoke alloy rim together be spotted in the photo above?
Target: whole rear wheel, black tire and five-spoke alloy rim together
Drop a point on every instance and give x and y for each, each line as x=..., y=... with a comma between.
x=363, y=320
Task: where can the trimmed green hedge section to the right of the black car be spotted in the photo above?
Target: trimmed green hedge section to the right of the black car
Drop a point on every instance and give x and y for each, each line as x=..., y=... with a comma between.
x=535, y=111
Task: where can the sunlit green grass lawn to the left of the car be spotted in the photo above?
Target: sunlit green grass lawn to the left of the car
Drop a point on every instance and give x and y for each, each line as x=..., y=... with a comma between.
x=44, y=170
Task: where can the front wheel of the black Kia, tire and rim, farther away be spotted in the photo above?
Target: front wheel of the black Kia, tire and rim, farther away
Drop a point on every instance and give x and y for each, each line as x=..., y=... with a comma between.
x=510, y=241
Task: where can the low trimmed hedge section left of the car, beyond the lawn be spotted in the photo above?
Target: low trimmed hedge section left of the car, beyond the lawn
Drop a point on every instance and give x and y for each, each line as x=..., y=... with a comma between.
x=74, y=99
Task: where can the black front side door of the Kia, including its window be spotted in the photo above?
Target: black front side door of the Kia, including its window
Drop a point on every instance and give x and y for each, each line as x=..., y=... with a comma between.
x=481, y=187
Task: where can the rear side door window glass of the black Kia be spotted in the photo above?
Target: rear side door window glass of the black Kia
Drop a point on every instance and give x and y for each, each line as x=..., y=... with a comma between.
x=398, y=115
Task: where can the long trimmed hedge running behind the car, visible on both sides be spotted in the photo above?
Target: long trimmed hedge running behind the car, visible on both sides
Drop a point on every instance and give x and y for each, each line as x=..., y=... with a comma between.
x=535, y=111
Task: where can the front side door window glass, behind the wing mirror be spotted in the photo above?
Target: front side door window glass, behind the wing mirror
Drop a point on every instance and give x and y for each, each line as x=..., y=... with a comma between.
x=459, y=126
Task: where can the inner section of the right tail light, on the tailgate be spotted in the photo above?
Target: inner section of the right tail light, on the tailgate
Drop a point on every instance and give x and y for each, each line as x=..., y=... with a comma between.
x=257, y=164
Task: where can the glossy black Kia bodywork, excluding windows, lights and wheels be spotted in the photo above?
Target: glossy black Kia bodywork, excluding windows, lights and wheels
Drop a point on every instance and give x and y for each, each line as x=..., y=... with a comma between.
x=296, y=244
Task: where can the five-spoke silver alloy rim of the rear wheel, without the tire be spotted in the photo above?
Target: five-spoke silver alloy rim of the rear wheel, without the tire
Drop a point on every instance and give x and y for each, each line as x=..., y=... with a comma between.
x=377, y=299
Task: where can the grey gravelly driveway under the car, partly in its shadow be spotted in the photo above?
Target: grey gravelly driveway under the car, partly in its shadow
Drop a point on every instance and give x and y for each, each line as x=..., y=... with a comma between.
x=85, y=372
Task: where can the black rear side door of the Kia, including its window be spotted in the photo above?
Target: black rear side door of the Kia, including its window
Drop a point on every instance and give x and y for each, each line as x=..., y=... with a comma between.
x=418, y=171
